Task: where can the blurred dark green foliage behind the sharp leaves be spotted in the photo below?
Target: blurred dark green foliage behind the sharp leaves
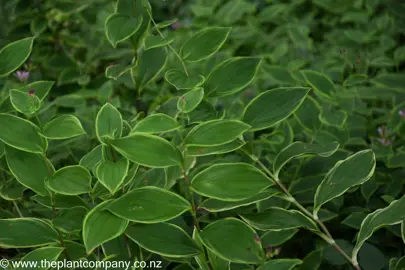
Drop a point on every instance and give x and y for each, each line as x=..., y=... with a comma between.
x=359, y=44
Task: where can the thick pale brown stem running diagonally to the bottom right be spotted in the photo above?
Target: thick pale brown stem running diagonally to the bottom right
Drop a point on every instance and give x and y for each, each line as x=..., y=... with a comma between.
x=327, y=236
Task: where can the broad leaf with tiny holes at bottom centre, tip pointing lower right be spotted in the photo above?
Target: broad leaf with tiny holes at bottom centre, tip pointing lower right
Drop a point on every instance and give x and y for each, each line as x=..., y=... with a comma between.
x=232, y=240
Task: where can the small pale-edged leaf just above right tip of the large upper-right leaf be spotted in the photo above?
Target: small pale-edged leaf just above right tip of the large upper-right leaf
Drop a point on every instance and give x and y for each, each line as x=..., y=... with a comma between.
x=323, y=85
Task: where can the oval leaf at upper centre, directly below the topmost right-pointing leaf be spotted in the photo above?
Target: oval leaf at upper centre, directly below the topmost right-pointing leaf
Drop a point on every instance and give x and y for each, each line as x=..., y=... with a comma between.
x=232, y=76
